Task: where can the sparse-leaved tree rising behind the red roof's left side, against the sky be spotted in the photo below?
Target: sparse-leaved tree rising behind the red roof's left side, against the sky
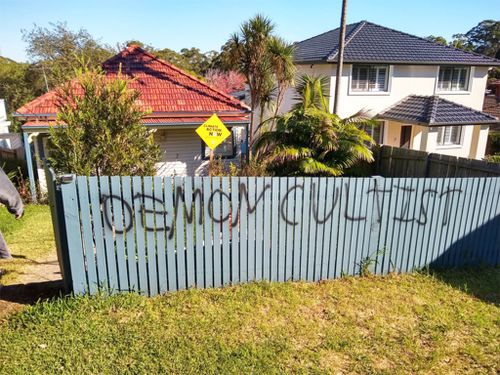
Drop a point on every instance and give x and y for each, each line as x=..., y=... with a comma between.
x=58, y=51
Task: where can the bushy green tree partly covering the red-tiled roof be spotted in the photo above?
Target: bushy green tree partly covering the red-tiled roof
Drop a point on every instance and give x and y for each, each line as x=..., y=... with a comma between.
x=99, y=130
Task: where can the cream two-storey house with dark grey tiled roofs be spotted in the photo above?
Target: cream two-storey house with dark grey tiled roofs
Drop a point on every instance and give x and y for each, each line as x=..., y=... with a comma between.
x=427, y=96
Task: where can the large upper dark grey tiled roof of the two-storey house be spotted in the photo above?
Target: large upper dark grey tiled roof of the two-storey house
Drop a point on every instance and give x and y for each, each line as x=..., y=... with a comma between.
x=368, y=42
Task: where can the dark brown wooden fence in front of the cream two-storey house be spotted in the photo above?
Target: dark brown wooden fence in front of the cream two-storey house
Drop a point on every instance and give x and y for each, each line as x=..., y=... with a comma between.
x=400, y=162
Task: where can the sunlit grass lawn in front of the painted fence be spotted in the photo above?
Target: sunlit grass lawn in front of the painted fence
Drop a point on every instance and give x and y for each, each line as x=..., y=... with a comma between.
x=420, y=323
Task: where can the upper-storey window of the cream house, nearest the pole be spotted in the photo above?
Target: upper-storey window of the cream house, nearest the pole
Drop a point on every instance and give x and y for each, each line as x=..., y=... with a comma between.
x=372, y=78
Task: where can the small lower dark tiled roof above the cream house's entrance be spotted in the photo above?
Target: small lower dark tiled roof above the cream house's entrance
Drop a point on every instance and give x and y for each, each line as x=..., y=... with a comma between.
x=434, y=111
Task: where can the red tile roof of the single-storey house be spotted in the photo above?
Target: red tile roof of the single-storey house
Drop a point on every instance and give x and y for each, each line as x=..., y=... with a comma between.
x=170, y=93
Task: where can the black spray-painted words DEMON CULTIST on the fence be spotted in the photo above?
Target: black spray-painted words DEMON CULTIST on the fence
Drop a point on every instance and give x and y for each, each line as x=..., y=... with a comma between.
x=410, y=206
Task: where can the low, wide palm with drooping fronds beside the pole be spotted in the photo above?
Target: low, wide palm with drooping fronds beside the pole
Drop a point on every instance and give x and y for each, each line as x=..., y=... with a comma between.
x=309, y=140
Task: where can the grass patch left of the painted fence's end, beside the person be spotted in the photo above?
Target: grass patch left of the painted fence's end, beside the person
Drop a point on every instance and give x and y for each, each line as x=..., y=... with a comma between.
x=29, y=240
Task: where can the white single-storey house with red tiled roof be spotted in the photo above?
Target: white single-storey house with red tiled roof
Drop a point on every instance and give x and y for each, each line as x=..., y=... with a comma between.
x=178, y=103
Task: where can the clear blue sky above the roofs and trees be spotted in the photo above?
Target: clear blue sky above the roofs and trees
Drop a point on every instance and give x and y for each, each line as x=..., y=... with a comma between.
x=208, y=24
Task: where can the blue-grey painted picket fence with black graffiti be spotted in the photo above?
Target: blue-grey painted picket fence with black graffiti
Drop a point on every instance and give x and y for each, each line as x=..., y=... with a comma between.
x=156, y=234
